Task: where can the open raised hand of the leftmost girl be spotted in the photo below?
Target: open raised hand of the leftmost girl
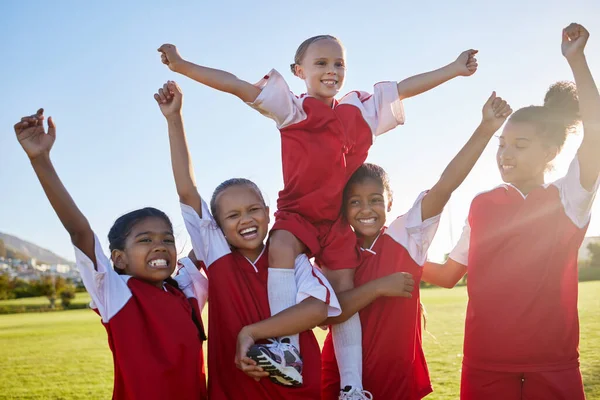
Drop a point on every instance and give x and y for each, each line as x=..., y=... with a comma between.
x=33, y=137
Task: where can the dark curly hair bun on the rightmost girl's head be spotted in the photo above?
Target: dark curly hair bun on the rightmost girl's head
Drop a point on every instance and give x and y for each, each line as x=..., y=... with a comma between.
x=563, y=104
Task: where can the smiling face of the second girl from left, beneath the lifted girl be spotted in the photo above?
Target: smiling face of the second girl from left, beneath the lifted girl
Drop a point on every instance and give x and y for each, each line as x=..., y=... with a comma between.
x=243, y=218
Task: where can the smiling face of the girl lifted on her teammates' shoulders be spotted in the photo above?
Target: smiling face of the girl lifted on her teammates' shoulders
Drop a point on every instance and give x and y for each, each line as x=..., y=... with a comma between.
x=323, y=69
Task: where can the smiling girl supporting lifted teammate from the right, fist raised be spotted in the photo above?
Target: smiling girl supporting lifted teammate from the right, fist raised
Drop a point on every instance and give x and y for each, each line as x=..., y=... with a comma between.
x=394, y=366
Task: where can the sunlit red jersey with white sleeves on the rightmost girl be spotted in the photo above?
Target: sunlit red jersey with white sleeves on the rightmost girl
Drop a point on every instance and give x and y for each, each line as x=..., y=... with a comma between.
x=521, y=255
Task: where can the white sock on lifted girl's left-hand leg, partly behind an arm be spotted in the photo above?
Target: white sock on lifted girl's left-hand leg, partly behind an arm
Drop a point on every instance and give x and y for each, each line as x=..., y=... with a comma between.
x=281, y=288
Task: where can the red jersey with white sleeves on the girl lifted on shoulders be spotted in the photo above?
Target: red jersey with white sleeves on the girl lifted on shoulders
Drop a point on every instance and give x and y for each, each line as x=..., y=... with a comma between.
x=322, y=146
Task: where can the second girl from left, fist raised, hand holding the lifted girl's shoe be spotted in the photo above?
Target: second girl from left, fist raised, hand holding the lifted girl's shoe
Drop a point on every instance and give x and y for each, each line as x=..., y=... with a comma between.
x=231, y=248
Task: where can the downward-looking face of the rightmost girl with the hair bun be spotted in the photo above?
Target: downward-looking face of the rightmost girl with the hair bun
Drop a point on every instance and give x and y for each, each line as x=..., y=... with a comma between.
x=522, y=156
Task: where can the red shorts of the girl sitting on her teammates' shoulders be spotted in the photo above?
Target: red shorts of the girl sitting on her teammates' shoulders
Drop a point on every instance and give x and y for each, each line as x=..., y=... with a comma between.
x=333, y=244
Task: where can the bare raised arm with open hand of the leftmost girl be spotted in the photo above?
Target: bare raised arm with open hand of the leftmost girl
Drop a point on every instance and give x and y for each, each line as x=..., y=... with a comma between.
x=37, y=145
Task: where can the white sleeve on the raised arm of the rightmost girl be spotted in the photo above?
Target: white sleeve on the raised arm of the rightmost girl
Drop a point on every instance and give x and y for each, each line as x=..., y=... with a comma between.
x=576, y=200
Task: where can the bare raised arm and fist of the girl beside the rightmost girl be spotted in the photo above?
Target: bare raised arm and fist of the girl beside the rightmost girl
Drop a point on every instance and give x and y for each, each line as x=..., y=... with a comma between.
x=495, y=111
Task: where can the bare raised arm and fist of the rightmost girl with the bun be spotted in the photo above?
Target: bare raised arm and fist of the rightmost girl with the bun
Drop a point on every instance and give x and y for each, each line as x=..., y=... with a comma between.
x=574, y=39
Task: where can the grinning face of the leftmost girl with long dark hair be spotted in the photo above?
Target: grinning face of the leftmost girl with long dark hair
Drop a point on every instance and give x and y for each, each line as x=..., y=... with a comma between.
x=149, y=253
